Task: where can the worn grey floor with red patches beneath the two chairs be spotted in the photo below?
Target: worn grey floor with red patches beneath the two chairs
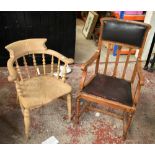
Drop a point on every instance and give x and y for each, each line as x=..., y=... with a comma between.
x=50, y=120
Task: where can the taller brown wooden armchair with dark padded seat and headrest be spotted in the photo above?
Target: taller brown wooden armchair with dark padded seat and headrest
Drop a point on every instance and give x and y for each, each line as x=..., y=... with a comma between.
x=115, y=91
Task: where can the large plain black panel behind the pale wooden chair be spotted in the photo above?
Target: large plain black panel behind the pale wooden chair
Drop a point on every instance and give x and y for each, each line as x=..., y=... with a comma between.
x=59, y=27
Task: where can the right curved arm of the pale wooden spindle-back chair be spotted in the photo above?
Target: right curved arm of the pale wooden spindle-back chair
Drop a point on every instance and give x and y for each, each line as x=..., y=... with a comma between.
x=60, y=56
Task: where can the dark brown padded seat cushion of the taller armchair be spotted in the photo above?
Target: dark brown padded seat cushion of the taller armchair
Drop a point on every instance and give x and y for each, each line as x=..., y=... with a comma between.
x=110, y=88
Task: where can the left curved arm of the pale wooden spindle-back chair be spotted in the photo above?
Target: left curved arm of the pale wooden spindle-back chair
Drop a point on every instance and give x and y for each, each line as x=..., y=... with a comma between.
x=12, y=72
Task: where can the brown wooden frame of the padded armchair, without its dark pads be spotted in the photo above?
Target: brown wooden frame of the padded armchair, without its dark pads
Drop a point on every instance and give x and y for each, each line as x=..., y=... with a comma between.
x=128, y=111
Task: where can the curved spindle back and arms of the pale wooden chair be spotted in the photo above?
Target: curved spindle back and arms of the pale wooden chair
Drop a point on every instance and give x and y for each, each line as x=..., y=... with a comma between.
x=30, y=49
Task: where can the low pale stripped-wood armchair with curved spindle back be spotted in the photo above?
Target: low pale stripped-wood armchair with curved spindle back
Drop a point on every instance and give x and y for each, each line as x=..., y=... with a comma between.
x=36, y=89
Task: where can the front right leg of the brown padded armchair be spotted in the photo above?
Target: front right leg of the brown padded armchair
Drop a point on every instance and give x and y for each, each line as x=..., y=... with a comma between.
x=127, y=124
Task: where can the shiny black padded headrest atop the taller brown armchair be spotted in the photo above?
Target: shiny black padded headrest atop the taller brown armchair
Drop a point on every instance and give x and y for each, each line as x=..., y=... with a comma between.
x=123, y=32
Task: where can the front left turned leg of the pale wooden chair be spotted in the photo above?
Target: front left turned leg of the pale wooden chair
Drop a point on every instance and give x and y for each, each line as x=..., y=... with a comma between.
x=27, y=122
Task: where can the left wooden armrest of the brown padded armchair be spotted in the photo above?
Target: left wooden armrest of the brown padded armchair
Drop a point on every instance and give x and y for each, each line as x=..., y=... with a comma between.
x=90, y=61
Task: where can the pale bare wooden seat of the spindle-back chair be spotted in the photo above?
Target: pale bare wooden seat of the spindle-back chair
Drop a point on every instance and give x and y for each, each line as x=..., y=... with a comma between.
x=41, y=90
